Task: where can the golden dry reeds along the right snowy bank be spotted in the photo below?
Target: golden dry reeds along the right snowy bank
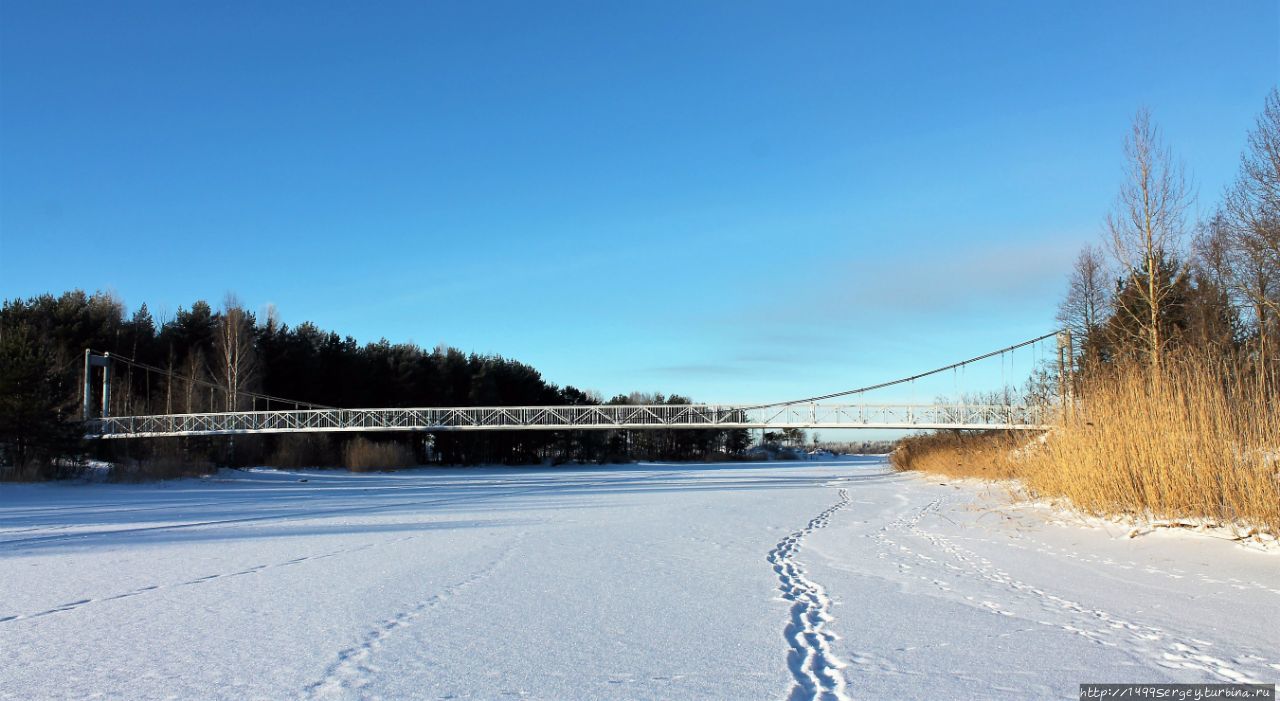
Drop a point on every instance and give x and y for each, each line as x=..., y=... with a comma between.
x=1200, y=439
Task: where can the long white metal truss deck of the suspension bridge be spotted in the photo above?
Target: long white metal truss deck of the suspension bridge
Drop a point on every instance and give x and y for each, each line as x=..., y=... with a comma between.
x=575, y=419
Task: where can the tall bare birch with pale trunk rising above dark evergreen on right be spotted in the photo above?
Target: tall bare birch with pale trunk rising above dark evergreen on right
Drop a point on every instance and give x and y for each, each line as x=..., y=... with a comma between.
x=1146, y=226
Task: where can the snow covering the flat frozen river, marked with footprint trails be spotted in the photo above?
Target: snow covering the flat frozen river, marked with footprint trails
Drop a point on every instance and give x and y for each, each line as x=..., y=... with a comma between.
x=833, y=580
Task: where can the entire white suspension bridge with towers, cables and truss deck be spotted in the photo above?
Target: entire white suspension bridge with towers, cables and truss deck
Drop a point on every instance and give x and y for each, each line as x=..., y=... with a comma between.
x=813, y=413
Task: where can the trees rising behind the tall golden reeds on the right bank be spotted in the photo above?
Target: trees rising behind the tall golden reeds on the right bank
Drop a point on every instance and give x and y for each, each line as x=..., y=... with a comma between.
x=1160, y=286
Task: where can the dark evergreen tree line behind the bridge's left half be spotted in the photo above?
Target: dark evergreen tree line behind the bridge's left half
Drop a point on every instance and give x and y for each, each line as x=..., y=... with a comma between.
x=207, y=360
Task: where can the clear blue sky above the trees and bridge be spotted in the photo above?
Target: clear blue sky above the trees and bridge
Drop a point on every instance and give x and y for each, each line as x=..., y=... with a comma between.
x=734, y=201
